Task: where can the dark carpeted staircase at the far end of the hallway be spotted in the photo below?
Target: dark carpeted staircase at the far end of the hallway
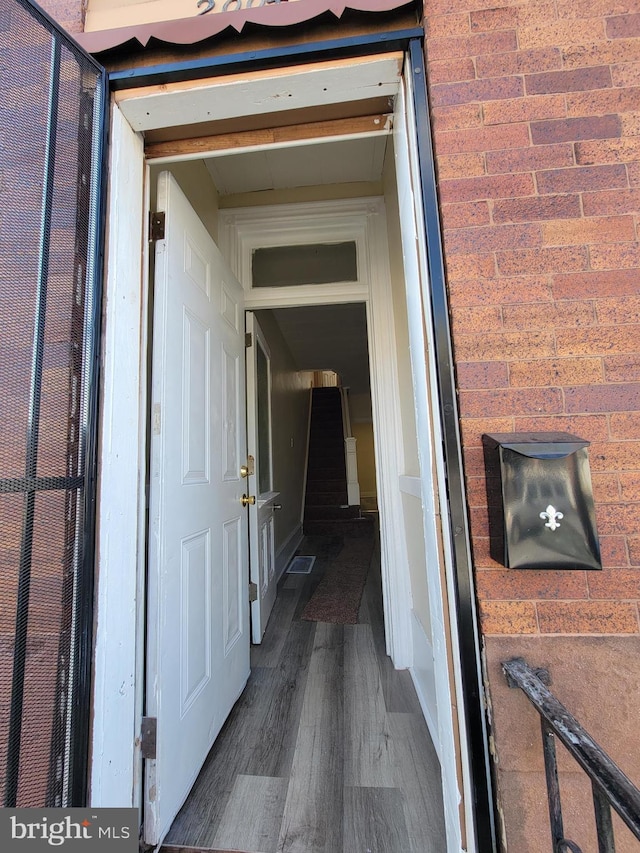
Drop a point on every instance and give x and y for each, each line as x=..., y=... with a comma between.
x=326, y=504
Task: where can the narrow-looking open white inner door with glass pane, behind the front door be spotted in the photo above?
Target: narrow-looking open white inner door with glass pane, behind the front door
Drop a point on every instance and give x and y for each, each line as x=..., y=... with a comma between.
x=260, y=480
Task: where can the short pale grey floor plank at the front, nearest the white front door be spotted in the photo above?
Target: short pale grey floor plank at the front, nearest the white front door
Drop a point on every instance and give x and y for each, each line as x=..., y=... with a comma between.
x=253, y=815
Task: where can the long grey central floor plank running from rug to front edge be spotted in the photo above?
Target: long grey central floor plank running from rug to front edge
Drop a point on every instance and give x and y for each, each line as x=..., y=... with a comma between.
x=312, y=820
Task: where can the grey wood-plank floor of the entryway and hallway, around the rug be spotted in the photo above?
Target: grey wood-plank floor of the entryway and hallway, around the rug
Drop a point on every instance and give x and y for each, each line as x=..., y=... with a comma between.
x=326, y=751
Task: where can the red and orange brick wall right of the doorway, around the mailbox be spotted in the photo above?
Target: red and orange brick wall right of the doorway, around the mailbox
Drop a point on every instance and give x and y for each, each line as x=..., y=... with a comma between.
x=536, y=110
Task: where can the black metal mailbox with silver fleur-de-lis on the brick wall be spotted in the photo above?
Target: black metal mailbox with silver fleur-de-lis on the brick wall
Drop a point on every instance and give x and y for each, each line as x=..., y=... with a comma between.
x=540, y=501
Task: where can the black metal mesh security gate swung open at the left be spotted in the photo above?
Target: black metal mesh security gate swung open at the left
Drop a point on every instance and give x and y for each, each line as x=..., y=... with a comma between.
x=52, y=105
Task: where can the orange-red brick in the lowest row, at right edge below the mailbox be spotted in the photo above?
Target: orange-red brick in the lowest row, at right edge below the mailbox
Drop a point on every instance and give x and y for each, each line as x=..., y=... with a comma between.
x=587, y=617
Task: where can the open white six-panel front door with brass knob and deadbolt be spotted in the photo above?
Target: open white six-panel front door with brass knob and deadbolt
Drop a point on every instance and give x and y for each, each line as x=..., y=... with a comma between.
x=198, y=613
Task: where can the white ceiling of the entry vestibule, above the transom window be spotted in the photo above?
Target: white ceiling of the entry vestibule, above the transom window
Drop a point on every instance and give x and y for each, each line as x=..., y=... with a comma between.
x=336, y=162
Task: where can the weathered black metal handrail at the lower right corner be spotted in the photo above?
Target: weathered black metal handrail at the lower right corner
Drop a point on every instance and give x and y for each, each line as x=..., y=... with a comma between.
x=611, y=788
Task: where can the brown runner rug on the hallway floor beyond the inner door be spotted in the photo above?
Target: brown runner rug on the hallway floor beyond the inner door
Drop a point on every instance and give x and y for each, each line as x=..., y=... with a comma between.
x=337, y=596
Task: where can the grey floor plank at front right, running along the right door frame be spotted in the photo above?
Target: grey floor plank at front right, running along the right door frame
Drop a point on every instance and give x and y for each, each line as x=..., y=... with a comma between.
x=418, y=777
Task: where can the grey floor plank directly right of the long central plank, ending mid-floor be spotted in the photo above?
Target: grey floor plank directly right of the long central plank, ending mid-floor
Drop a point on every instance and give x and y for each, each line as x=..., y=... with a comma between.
x=368, y=745
